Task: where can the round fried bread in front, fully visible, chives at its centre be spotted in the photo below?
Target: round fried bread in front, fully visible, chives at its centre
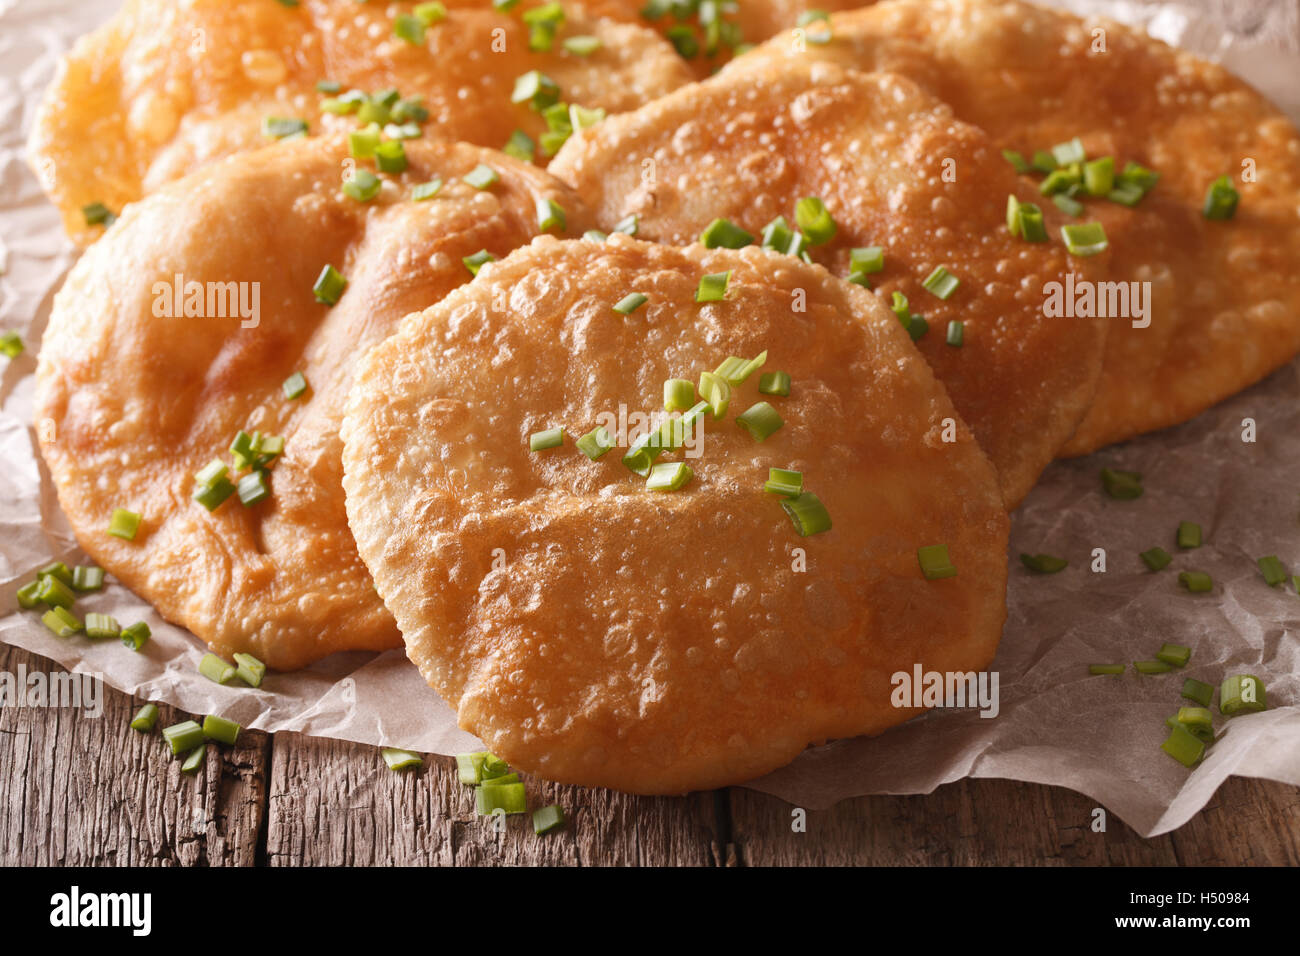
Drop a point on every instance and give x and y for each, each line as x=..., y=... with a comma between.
x=596, y=633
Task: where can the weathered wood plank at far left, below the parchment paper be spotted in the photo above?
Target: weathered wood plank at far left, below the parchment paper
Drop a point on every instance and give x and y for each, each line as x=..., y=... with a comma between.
x=77, y=790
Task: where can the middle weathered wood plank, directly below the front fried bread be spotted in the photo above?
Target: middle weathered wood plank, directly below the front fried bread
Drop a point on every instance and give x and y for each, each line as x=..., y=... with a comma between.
x=333, y=803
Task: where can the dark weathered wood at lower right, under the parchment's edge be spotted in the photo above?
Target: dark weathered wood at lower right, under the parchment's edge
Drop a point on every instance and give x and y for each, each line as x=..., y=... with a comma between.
x=1012, y=824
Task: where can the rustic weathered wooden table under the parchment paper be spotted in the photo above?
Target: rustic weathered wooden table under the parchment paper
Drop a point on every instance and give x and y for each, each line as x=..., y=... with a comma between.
x=83, y=791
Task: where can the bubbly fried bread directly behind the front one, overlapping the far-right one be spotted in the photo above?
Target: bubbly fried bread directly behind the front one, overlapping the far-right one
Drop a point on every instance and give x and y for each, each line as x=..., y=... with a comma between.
x=895, y=170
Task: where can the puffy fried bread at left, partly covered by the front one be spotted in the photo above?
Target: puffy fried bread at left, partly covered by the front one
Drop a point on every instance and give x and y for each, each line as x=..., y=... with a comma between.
x=142, y=383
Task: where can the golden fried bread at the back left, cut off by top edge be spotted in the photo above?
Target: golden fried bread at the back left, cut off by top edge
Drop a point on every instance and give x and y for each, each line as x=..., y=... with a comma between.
x=167, y=86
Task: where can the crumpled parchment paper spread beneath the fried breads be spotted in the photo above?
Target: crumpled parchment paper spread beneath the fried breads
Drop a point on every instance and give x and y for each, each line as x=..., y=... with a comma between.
x=1058, y=725
